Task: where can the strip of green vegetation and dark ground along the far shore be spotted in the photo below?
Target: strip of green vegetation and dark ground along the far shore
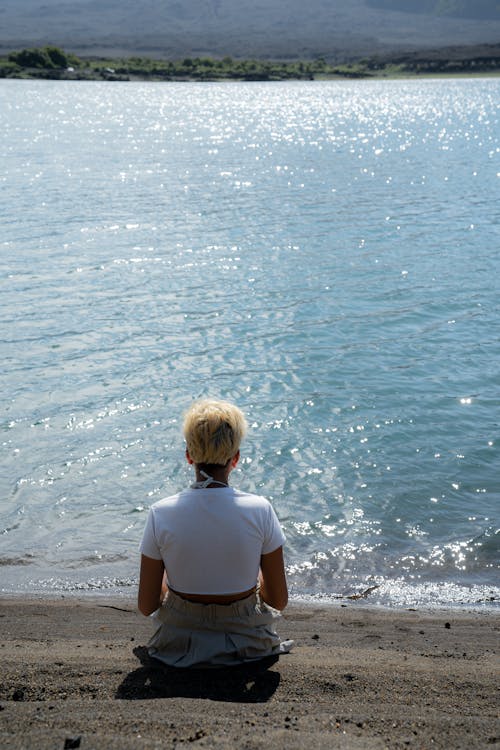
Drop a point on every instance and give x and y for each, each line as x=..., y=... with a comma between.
x=53, y=63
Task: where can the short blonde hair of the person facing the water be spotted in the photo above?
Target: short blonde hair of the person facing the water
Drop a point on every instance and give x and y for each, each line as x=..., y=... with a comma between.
x=213, y=431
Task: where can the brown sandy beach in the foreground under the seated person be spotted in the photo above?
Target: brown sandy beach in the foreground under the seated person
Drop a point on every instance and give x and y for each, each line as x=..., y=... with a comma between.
x=75, y=673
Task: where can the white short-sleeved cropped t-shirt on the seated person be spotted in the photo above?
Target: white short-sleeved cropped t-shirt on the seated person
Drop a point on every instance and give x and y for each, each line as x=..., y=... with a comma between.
x=211, y=540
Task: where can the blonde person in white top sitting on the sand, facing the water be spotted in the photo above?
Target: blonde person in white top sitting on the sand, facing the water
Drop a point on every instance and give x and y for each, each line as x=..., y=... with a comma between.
x=212, y=568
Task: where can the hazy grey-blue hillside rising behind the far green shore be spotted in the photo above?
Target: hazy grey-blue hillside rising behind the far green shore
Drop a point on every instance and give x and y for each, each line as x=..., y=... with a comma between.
x=337, y=30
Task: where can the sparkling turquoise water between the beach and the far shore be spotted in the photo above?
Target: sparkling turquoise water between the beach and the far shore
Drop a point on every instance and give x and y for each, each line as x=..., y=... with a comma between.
x=326, y=254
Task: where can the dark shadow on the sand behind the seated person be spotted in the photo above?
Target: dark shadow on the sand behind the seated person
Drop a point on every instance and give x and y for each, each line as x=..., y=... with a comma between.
x=245, y=683
